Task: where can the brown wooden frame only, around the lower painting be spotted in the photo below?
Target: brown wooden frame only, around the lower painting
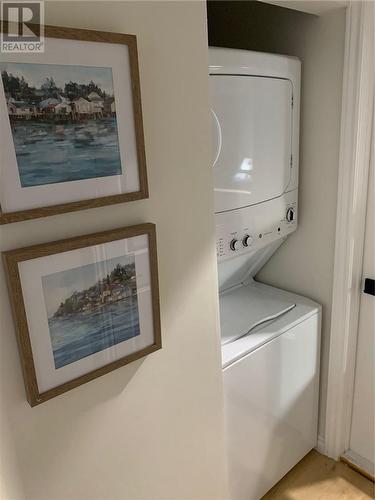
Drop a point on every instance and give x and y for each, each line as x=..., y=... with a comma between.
x=11, y=260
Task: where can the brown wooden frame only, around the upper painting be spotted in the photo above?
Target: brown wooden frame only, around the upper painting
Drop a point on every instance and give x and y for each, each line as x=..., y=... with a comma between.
x=98, y=36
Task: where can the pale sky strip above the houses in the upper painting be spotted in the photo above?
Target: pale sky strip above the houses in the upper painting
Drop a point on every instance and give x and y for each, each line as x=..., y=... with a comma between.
x=35, y=74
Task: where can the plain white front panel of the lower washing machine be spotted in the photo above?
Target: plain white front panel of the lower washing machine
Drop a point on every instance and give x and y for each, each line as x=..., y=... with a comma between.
x=271, y=409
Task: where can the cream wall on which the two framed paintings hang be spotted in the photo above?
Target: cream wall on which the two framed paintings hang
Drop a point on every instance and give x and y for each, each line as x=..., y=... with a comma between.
x=153, y=429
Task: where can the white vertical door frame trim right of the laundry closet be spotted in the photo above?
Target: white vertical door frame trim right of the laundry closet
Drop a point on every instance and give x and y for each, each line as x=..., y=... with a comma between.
x=355, y=144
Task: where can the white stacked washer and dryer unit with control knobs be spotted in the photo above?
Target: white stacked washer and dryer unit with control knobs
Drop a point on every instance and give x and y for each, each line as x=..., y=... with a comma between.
x=270, y=337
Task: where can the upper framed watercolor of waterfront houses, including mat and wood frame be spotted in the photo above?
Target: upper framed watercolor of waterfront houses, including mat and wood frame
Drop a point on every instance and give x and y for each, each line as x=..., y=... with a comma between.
x=71, y=132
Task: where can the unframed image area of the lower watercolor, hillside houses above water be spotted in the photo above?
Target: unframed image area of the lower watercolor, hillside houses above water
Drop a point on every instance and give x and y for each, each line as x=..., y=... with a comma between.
x=91, y=308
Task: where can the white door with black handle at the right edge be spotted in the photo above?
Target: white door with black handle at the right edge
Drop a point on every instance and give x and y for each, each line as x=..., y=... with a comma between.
x=362, y=436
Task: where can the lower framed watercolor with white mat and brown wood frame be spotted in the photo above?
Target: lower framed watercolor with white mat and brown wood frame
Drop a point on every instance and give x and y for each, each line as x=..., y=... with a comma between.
x=83, y=307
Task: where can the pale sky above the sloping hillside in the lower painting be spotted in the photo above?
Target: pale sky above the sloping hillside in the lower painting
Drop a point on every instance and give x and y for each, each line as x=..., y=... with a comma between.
x=59, y=286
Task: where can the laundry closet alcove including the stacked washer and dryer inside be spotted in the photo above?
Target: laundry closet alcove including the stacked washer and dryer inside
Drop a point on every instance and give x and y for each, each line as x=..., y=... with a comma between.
x=276, y=230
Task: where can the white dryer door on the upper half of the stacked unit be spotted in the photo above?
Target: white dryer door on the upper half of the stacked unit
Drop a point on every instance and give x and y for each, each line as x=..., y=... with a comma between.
x=252, y=139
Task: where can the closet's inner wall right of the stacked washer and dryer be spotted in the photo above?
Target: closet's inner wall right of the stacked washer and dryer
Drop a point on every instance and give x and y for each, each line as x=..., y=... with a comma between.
x=304, y=263
